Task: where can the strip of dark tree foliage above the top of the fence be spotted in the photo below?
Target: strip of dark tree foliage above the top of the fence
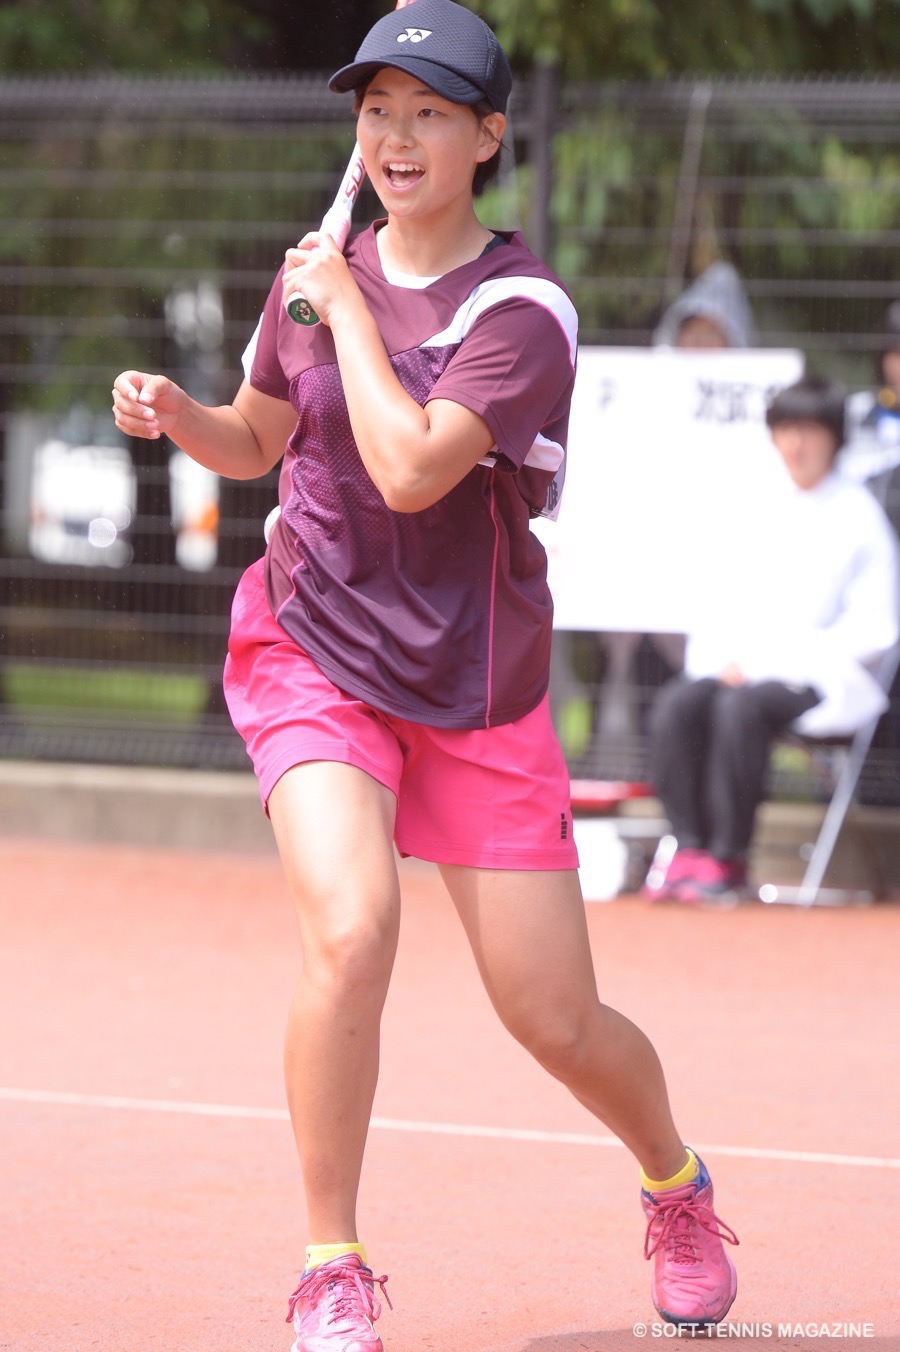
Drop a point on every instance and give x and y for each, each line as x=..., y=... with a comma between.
x=587, y=40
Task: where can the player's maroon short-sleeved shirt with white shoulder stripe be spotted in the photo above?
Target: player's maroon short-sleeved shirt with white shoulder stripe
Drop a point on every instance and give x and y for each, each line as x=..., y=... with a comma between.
x=441, y=617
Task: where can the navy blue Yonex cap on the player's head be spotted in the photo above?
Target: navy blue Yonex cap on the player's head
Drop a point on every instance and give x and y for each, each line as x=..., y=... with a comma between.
x=445, y=45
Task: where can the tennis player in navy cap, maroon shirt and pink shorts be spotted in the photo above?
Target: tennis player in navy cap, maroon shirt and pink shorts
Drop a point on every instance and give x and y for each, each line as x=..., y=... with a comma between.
x=389, y=660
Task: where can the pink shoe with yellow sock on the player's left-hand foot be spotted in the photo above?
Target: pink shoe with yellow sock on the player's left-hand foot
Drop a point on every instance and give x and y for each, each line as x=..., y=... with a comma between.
x=334, y=1308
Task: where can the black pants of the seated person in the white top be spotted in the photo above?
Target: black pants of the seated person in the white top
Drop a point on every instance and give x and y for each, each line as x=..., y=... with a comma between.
x=710, y=754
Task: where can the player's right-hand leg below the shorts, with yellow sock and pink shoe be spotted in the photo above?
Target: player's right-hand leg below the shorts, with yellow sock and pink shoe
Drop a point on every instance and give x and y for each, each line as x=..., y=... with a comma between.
x=530, y=939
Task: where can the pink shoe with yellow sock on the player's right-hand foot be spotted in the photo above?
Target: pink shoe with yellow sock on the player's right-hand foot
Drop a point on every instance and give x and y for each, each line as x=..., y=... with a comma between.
x=694, y=1278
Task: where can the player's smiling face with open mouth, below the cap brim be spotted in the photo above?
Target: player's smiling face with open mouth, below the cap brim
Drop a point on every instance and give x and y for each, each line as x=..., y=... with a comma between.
x=420, y=149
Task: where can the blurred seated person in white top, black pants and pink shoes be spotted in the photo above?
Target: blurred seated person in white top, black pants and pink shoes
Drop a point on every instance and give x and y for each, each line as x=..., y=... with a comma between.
x=793, y=619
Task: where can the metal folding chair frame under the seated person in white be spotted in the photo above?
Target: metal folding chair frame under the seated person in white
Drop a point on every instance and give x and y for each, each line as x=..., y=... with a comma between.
x=853, y=755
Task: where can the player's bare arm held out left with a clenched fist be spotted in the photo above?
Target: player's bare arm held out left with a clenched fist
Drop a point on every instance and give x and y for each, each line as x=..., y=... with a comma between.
x=243, y=440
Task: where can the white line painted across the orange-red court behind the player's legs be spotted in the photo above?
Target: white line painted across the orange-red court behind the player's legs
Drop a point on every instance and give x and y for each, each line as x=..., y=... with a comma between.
x=63, y=1098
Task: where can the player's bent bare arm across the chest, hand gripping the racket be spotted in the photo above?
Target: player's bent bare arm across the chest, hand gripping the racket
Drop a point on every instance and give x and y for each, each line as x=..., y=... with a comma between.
x=414, y=455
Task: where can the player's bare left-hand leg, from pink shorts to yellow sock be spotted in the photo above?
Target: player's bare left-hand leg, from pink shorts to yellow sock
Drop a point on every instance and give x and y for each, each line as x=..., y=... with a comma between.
x=334, y=827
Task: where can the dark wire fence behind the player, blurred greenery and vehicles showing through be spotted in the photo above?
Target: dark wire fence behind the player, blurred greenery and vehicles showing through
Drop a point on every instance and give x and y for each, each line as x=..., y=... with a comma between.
x=141, y=224
